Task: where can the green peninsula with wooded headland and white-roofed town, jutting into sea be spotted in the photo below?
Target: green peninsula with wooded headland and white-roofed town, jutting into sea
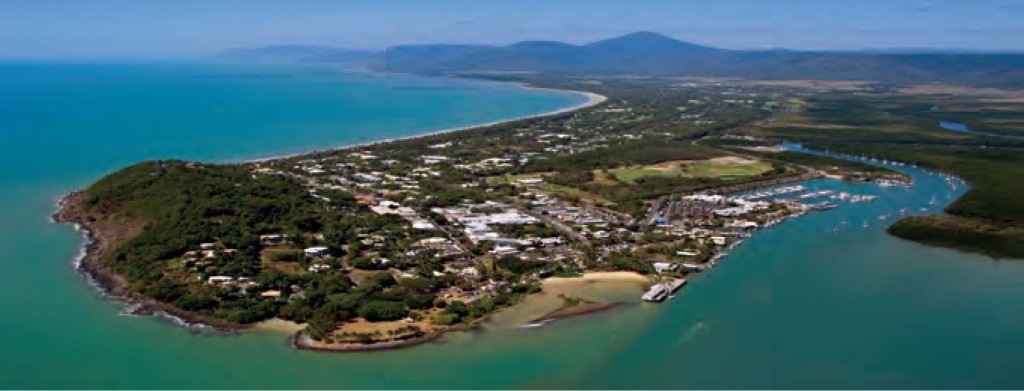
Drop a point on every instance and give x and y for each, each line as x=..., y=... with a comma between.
x=393, y=244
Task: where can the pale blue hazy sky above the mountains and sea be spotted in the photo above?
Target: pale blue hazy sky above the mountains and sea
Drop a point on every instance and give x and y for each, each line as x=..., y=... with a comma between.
x=162, y=29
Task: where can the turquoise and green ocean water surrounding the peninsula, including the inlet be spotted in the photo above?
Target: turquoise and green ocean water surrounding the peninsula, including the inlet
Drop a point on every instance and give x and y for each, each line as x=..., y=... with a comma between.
x=797, y=307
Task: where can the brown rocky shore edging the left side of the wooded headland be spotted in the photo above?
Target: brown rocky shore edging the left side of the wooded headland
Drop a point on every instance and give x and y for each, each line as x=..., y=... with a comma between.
x=98, y=243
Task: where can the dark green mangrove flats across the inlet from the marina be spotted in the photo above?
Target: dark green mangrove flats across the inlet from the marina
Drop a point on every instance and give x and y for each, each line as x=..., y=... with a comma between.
x=883, y=124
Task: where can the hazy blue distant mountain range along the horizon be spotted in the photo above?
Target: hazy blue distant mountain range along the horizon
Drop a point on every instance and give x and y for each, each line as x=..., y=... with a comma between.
x=653, y=54
